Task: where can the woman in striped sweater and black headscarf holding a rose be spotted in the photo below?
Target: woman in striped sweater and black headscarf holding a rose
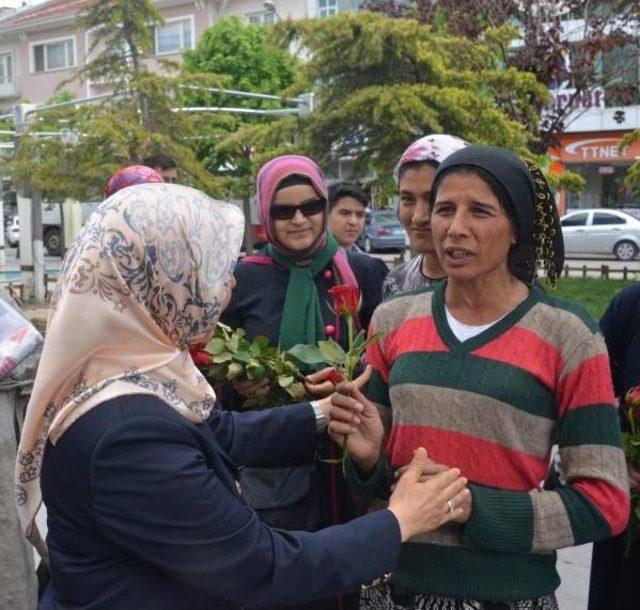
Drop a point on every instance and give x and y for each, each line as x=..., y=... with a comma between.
x=488, y=375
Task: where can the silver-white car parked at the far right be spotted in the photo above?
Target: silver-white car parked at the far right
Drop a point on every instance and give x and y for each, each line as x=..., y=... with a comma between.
x=601, y=231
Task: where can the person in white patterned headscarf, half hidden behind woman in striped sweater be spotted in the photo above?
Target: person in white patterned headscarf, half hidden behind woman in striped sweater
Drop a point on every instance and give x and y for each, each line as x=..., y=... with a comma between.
x=414, y=176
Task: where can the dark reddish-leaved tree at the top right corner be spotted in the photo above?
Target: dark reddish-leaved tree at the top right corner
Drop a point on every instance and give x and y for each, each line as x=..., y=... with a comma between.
x=602, y=56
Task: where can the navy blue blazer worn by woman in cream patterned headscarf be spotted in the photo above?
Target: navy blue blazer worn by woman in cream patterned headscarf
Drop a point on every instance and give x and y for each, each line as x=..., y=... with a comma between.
x=143, y=512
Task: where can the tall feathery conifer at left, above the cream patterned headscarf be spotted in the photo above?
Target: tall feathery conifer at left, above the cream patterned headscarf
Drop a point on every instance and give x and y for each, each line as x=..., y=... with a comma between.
x=142, y=117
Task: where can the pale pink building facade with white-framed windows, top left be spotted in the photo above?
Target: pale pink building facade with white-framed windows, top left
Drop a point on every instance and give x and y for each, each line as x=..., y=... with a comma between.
x=41, y=46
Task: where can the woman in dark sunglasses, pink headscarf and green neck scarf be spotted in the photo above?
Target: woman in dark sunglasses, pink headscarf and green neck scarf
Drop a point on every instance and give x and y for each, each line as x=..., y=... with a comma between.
x=282, y=293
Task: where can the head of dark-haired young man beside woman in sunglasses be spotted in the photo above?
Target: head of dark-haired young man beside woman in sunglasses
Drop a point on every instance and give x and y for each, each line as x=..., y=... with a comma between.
x=347, y=209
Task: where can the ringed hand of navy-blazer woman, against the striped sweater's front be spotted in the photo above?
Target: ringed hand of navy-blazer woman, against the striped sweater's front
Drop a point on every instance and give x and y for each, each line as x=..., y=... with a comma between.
x=422, y=506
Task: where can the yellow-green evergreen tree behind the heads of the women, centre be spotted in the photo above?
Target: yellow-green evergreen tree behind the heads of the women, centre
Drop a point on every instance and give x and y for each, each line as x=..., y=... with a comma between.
x=381, y=83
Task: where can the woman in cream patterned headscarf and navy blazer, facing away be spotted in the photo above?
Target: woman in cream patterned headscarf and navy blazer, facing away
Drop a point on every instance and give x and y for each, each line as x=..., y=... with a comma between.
x=137, y=471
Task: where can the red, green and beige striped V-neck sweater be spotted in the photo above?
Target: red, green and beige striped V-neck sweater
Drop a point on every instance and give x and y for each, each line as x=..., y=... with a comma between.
x=494, y=406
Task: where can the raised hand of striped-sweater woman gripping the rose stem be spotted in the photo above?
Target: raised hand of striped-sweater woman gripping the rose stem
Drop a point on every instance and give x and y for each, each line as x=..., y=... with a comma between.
x=355, y=417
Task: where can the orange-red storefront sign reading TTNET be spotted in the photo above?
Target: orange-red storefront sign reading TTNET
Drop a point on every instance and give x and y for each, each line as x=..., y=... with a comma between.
x=595, y=147
